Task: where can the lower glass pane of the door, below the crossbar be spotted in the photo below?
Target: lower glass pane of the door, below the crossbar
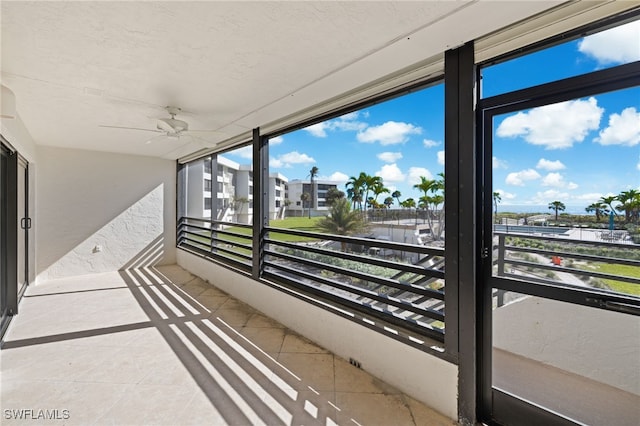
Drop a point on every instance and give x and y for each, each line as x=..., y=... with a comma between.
x=580, y=362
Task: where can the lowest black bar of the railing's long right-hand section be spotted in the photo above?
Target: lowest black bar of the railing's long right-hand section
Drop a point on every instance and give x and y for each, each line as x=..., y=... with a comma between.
x=389, y=317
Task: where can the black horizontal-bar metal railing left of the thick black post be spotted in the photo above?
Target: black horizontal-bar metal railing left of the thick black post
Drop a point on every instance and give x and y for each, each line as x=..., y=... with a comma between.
x=402, y=285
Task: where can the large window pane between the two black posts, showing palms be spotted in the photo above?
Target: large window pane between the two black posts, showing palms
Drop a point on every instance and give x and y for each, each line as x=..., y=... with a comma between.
x=367, y=190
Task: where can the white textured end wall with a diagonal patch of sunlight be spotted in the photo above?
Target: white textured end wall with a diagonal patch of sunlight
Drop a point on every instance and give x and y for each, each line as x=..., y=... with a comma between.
x=100, y=212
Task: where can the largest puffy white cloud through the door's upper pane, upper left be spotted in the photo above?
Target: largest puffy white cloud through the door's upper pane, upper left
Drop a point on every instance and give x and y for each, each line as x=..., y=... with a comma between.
x=554, y=126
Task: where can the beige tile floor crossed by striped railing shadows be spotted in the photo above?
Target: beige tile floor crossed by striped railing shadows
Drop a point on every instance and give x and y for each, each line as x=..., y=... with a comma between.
x=157, y=346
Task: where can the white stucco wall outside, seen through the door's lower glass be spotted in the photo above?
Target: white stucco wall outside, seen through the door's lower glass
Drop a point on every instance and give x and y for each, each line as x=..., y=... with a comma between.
x=594, y=343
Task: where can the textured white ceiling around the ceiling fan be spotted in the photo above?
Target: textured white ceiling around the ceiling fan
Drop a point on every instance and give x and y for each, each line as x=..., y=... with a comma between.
x=232, y=66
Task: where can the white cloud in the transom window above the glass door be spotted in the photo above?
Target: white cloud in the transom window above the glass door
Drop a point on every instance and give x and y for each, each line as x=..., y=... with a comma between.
x=614, y=46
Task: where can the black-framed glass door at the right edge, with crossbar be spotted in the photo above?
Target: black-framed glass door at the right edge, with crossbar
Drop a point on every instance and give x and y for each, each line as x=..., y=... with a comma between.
x=561, y=286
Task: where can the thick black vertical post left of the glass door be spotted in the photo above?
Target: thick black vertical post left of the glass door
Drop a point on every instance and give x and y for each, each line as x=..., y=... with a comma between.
x=461, y=238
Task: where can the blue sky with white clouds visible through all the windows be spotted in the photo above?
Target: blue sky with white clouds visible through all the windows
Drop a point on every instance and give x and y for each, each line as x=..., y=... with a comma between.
x=574, y=152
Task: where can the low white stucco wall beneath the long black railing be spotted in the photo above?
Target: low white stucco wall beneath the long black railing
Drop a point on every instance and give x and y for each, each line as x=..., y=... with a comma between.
x=424, y=377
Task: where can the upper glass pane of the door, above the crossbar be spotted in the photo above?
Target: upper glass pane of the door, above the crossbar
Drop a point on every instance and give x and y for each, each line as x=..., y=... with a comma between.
x=566, y=192
